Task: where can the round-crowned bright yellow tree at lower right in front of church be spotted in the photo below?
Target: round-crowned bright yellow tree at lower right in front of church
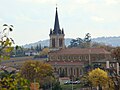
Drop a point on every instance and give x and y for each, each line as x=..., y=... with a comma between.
x=99, y=77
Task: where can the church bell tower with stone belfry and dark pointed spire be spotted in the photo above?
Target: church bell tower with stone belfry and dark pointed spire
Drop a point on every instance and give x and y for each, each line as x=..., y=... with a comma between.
x=57, y=35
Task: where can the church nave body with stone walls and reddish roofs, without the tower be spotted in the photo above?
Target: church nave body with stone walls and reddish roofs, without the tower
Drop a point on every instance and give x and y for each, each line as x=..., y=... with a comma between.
x=71, y=61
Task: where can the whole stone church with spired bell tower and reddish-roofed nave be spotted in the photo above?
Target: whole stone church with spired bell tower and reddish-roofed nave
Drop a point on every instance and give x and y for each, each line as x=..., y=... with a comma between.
x=70, y=61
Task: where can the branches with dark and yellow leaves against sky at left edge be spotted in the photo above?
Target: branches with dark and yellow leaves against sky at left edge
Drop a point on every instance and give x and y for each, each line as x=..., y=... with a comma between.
x=6, y=42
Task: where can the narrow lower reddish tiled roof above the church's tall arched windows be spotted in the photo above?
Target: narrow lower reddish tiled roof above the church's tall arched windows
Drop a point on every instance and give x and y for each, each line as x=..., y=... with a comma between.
x=60, y=63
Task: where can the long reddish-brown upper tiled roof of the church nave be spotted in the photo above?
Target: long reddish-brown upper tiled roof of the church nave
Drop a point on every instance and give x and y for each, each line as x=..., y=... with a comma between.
x=81, y=51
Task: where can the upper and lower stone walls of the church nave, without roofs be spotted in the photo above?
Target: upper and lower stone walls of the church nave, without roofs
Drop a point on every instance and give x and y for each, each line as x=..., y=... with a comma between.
x=74, y=69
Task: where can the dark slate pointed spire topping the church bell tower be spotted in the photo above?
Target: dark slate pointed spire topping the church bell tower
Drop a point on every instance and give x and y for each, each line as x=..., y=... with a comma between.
x=56, y=24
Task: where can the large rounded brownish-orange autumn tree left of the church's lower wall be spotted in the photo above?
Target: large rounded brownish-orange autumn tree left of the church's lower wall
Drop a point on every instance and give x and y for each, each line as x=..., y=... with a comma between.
x=36, y=71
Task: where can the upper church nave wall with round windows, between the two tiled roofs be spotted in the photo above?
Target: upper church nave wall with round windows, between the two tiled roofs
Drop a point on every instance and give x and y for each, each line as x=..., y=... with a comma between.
x=83, y=57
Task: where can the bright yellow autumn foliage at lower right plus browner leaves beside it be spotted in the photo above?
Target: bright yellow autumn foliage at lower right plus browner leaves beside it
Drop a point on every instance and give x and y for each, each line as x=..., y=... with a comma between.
x=99, y=77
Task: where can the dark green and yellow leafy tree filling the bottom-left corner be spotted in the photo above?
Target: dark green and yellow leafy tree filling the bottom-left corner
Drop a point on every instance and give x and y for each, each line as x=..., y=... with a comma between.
x=12, y=81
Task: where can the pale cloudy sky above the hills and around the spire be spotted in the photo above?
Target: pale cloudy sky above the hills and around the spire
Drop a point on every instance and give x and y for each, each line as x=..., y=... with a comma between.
x=33, y=19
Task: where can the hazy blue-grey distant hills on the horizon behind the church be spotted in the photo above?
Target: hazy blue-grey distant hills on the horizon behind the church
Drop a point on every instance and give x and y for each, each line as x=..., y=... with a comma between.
x=113, y=41
